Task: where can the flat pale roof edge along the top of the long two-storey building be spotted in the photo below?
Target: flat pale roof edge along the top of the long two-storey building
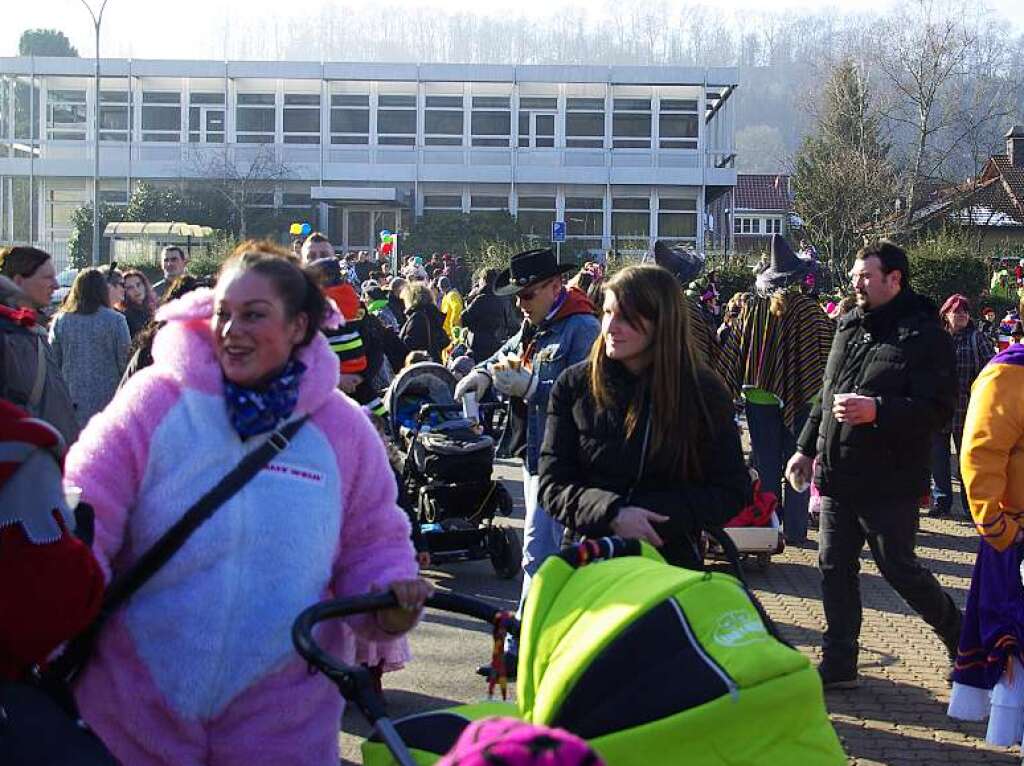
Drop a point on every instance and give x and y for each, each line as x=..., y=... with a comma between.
x=58, y=66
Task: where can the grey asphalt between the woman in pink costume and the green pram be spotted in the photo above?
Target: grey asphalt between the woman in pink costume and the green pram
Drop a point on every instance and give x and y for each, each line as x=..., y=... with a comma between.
x=447, y=649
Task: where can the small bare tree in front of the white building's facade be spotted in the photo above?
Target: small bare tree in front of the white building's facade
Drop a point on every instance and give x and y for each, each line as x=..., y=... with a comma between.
x=238, y=180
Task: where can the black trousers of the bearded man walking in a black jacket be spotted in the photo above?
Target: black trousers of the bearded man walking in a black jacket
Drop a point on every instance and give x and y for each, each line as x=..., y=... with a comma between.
x=890, y=531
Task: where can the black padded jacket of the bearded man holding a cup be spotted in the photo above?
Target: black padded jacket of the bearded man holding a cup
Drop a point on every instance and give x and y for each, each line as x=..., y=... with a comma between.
x=901, y=356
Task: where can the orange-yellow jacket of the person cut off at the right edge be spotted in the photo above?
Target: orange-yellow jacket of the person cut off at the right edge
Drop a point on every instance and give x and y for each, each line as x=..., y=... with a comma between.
x=993, y=456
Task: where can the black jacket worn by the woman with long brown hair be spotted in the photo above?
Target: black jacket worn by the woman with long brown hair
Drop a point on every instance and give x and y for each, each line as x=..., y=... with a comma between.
x=589, y=467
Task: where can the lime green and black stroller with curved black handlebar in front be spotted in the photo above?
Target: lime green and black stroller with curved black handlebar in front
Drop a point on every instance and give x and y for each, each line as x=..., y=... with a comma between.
x=651, y=664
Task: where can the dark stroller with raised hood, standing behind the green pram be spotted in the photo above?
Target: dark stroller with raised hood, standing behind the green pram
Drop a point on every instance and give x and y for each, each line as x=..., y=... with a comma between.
x=448, y=489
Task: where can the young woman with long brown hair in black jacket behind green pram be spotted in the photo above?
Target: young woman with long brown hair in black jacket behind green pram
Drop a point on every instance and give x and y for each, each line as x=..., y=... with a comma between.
x=642, y=440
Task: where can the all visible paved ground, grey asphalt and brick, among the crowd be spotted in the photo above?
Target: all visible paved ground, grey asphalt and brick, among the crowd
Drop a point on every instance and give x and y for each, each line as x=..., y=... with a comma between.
x=897, y=717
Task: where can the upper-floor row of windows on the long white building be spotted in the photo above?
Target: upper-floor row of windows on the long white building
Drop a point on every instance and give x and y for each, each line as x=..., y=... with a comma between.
x=352, y=116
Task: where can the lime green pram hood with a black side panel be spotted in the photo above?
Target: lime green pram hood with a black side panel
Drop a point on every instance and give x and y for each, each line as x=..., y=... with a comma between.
x=657, y=664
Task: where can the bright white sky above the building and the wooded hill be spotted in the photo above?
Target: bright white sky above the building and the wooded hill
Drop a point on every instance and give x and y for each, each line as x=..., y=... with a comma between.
x=185, y=29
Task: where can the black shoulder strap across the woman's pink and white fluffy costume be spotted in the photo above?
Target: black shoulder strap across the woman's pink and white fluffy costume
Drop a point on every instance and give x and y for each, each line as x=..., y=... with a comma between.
x=67, y=667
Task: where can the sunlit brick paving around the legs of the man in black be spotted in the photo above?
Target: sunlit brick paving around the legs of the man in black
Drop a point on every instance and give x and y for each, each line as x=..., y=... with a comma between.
x=899, y=714
